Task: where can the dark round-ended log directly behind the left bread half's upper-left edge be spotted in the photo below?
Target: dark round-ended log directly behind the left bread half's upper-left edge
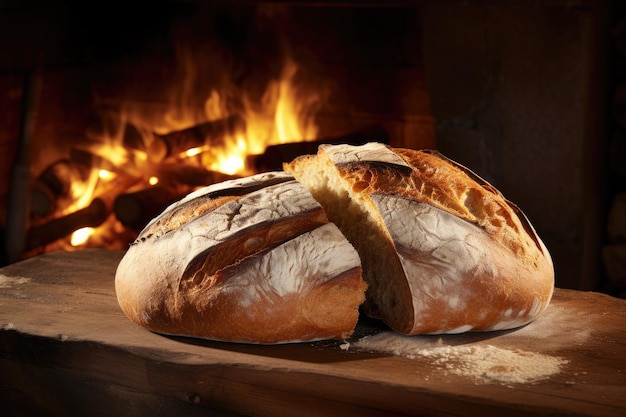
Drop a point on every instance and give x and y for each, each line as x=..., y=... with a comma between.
x=136, y=209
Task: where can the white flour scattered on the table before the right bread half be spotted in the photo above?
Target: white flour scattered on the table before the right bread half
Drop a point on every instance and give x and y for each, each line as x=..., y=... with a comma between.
x=483, y=363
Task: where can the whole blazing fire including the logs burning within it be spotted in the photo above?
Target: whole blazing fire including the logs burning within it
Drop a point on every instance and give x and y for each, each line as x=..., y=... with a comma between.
x=139, y=148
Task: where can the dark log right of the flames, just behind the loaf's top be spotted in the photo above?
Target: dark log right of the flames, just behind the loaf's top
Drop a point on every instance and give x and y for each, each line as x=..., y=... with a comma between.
x=274, y=156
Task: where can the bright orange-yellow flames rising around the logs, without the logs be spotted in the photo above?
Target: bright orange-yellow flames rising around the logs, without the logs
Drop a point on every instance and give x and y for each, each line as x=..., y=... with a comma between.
x=282, y=114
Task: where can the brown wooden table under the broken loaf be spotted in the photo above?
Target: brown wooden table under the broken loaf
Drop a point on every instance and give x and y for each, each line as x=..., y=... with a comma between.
x=67, y=349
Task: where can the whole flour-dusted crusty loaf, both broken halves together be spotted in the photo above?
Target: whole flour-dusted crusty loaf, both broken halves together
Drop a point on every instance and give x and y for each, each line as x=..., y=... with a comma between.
x=405, y=236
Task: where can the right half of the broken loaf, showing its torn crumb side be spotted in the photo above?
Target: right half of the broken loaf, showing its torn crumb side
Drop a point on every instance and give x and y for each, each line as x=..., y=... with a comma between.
x=441, y=250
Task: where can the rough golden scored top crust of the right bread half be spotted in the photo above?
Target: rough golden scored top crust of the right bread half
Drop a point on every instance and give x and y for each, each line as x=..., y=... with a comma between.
x=429, y=177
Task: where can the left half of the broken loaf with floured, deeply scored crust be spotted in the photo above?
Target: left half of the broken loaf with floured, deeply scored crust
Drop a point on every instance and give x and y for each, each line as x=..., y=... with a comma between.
x=248, y=260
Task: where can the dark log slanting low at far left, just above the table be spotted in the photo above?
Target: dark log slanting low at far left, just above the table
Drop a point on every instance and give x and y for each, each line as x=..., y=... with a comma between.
x=91, y=216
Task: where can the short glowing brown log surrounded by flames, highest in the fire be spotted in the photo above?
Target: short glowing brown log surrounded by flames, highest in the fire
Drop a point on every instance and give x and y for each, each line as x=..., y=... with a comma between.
x=214, y=132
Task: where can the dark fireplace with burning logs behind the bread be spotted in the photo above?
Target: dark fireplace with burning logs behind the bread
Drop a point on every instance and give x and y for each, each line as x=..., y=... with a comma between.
x=510, y=89
